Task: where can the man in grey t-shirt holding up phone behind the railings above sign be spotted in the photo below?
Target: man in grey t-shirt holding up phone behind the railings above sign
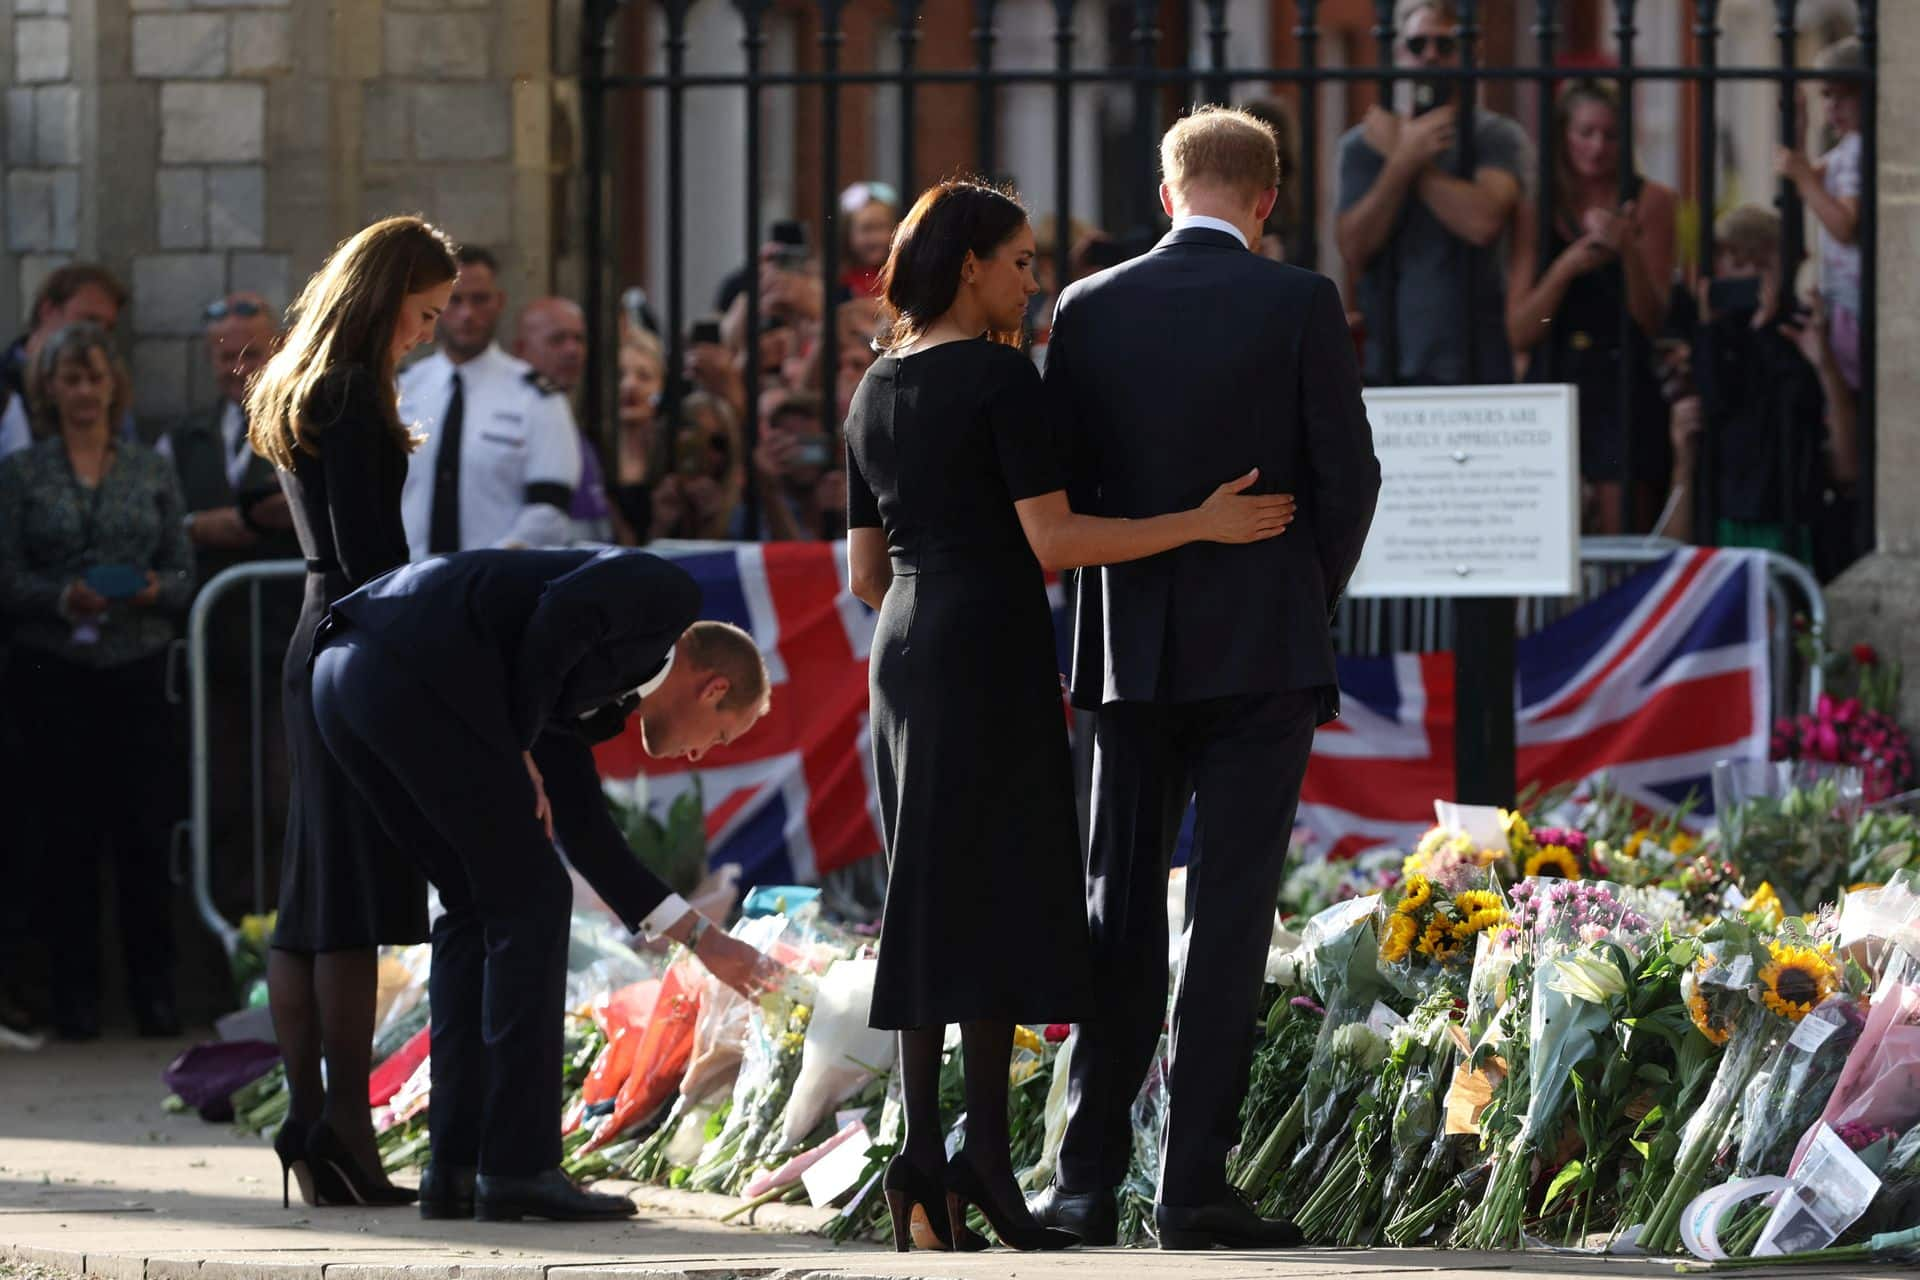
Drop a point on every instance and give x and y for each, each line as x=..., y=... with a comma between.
x=1412, y=225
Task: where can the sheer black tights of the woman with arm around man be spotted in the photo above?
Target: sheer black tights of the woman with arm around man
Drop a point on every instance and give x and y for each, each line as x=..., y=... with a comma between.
x=986, y=1055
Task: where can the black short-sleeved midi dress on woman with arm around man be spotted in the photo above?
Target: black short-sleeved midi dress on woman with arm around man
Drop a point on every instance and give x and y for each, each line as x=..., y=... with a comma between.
x=986, y=905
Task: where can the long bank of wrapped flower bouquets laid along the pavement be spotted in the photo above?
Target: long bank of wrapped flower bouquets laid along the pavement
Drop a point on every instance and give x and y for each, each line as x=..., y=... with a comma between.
x=1570, y=1026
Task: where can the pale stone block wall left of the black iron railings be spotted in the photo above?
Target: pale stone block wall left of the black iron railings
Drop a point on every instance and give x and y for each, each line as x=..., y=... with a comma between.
x=201, y=147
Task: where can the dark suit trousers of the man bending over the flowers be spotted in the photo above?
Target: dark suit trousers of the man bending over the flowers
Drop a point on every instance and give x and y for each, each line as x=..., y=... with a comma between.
x=498, y=987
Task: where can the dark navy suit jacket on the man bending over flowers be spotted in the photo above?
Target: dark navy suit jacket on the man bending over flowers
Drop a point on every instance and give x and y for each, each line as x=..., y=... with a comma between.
x=540, y=652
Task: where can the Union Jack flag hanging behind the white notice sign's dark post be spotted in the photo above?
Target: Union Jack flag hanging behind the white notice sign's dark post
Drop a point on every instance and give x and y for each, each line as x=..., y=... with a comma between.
x=1650, y=682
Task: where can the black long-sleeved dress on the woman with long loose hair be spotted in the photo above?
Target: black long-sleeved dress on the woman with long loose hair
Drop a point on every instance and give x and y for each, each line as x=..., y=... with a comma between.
x=343, y=882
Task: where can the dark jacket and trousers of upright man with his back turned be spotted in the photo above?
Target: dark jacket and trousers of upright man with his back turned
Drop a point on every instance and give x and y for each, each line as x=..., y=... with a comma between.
x=1209, y=665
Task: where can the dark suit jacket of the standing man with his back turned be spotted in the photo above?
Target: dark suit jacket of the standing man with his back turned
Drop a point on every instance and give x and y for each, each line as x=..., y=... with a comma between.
x=1168, y=377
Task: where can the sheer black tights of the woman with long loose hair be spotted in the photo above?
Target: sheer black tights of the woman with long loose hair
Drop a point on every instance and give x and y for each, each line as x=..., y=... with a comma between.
x=324, y=1008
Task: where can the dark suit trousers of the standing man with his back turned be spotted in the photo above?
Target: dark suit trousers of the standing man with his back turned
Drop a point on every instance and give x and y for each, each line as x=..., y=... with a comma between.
x=1243, y=761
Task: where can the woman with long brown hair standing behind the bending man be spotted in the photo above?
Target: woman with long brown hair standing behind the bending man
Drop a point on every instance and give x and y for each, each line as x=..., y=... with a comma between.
x=325, y=414
